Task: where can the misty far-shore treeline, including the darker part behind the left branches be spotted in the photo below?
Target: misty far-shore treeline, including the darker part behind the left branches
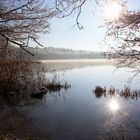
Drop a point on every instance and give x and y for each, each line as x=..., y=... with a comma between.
x=51, y=53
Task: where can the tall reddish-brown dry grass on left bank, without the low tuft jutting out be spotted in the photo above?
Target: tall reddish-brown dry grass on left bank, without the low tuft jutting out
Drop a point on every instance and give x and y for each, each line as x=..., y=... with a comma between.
x=18, y=78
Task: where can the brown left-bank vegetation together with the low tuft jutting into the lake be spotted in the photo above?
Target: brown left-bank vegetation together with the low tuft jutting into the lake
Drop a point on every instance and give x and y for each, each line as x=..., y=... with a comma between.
x=22, y=79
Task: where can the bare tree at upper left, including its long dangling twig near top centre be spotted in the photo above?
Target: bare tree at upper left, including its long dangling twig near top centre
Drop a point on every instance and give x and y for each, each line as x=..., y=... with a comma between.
x=22, y=21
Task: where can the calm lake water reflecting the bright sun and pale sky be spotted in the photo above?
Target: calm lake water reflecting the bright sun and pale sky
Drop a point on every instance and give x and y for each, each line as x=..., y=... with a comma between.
x=77, y=113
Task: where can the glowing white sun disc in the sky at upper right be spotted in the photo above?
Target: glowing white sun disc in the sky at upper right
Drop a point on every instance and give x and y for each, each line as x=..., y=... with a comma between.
x=112, y=11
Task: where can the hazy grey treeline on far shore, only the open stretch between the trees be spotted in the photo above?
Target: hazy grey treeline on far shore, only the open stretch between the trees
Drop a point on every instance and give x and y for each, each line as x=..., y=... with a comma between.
x=63, y=53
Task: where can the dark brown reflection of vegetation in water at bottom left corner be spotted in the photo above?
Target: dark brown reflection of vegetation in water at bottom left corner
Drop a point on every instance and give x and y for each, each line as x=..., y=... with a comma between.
x=16, y=121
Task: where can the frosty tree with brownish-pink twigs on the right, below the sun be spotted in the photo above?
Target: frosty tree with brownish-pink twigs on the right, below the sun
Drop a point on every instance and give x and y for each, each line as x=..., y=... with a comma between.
x=125, y=31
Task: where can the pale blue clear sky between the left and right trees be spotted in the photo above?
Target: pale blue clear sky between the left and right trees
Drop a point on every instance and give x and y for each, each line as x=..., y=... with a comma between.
x=64, y=32
